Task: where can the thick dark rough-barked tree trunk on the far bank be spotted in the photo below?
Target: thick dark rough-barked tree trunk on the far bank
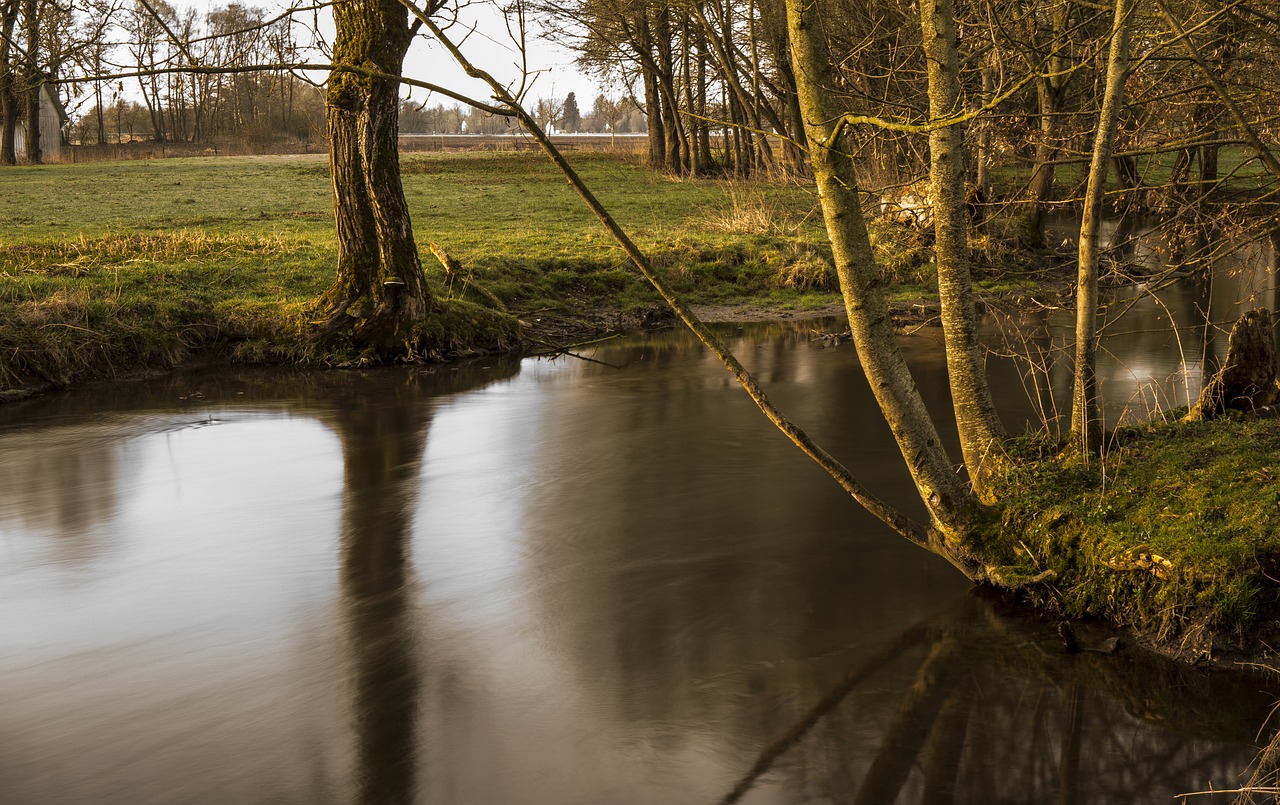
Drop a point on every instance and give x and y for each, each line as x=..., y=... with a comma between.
x=381, y=290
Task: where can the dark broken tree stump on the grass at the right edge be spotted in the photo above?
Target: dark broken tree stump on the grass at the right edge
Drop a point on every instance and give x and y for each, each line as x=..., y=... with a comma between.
x=1247, y=379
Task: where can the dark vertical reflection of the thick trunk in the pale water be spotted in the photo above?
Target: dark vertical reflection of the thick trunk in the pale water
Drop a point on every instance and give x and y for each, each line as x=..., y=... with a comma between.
x=383, y=442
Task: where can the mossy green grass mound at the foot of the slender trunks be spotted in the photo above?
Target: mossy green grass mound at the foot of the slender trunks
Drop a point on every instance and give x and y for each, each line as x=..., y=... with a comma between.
x=1177, y=532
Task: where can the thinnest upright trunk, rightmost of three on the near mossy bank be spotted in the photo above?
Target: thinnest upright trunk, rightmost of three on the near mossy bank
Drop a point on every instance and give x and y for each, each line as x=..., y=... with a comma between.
x=1086, y=414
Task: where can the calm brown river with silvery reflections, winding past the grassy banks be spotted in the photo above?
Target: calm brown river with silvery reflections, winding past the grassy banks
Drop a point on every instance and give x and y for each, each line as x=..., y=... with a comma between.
x=559, y=582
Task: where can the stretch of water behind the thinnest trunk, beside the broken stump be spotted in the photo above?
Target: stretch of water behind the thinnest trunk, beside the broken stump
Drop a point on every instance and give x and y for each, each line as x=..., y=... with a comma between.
x=1159, y=340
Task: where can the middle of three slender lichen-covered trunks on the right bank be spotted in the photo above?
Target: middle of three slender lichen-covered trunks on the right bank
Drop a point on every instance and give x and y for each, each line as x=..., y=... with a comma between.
x=975, y=411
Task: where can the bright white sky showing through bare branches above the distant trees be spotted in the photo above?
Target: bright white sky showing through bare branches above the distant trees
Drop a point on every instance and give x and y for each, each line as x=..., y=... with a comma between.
x=490, y=48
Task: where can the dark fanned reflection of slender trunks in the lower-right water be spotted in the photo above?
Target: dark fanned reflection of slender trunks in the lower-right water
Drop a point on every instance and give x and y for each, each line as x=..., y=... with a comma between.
x=990, y=710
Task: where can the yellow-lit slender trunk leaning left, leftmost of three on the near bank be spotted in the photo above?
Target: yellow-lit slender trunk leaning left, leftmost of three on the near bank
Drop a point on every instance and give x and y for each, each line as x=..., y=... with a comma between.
x=863, y=286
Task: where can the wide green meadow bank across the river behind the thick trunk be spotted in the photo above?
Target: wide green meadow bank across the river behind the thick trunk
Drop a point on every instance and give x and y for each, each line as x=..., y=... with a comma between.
x=121, y=267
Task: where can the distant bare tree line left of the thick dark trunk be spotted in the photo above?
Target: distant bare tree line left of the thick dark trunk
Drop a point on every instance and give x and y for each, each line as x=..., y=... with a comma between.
x=116, y=71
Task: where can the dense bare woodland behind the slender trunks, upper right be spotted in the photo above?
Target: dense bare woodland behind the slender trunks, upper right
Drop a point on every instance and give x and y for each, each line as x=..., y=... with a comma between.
x=726, y=66
